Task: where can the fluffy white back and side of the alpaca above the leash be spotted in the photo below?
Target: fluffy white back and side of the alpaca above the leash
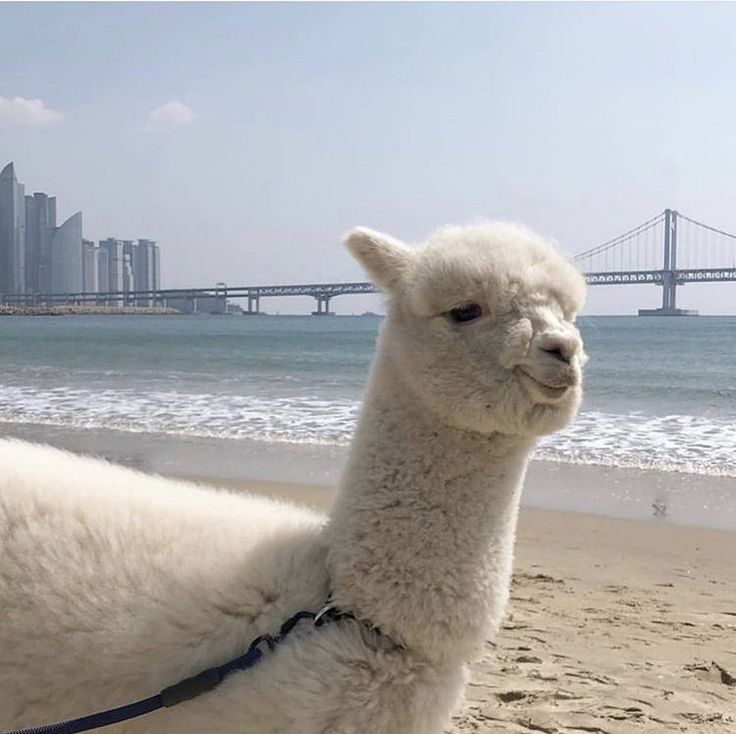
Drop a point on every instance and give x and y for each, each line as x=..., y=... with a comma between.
x=114, y=584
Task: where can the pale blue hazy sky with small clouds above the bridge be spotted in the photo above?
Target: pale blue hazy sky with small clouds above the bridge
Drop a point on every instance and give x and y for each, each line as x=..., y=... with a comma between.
x=247, y=138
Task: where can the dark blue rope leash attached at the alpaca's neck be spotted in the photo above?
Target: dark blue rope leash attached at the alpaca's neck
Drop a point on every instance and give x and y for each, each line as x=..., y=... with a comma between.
x=189, y=687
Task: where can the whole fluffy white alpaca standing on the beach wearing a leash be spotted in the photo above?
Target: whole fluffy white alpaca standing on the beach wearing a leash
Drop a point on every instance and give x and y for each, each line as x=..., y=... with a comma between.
x=114, y=585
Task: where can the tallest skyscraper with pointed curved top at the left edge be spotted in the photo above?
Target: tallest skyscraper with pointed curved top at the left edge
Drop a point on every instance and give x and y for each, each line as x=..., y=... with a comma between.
x=12, y=233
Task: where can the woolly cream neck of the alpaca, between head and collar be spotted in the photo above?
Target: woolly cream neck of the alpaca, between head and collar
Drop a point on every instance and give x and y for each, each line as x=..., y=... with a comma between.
x=422, y=532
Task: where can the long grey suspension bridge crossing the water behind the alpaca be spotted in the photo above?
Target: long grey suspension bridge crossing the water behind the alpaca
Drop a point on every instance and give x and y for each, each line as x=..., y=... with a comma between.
x=668, y=250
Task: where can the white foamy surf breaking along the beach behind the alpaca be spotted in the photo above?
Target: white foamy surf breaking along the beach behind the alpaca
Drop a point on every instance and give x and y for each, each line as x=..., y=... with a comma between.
x=682, y=443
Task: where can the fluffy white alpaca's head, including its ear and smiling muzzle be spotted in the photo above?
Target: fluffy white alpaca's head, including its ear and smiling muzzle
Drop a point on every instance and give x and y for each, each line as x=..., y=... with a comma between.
x=481, y=325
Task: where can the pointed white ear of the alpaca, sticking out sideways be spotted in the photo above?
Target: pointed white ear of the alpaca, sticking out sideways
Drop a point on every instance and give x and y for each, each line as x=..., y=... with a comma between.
x=384, y=258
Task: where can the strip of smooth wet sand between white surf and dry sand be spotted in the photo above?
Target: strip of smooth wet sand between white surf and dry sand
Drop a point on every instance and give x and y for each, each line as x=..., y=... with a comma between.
x=662, y=498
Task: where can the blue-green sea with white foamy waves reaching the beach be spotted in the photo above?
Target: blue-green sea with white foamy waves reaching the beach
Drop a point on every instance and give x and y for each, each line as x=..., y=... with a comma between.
x=660, y=393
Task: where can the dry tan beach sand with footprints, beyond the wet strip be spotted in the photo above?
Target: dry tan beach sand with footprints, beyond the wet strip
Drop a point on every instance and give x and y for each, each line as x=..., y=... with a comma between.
x=615, y=626
